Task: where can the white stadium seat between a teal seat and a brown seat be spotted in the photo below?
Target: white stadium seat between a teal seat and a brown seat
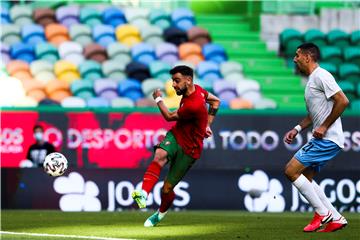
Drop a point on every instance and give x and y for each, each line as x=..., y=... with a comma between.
x=72, y=52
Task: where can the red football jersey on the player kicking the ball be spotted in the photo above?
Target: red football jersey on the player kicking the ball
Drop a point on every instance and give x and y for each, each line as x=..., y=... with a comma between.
x=190, y=129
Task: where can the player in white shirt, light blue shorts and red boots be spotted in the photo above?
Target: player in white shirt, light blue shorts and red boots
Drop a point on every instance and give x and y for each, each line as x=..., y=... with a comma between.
x=325, y=102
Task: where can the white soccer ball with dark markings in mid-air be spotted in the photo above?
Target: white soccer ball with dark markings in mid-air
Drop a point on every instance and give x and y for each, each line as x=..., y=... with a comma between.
x=55, y=164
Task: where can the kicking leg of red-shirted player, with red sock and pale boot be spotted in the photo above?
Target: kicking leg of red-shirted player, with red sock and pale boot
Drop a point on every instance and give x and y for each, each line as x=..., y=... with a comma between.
x=151, y=177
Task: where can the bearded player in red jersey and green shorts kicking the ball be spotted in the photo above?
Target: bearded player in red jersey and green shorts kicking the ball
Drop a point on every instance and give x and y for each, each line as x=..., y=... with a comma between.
x=183, y=144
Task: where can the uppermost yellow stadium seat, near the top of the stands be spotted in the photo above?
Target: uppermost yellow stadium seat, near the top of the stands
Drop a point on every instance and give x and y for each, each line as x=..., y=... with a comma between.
x=128, y=35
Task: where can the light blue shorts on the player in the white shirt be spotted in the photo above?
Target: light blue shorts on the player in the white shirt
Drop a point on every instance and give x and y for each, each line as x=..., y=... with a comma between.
x=317, y=152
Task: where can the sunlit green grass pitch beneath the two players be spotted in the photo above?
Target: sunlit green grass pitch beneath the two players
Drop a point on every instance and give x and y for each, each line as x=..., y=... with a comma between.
x=176, y=225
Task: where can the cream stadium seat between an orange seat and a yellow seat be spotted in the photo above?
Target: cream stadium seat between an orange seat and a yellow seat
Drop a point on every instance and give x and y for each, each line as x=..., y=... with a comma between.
x=43, y=71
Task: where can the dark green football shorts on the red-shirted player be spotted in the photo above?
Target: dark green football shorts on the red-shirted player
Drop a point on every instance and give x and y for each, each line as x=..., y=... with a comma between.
x=180, y=162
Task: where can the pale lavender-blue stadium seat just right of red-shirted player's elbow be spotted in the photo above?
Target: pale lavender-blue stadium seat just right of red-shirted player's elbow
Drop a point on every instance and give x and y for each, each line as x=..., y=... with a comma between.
x=226, y=91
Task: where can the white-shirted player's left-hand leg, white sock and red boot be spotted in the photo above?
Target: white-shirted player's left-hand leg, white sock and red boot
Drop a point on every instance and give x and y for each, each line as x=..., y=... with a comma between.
x=293, y=171
